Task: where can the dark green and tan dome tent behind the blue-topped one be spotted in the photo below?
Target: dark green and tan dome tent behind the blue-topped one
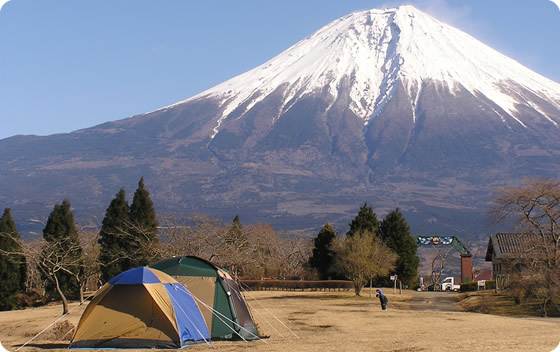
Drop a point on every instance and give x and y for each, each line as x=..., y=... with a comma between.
x=223, y=306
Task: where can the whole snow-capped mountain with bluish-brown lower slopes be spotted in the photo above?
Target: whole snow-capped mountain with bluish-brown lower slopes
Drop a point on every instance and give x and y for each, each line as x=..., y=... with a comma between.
x=386, y=106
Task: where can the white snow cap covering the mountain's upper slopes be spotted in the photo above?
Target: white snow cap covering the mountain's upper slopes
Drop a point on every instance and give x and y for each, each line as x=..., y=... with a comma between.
x=379, y=49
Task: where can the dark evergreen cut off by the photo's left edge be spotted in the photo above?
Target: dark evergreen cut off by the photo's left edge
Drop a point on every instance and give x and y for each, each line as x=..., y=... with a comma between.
x=13, y=269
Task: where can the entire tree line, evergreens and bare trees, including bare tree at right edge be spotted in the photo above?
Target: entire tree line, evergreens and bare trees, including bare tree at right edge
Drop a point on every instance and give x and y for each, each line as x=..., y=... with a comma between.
x=69, y=259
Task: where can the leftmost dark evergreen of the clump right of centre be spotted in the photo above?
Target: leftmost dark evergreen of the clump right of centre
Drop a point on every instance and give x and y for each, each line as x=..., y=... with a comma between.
x=323, y=255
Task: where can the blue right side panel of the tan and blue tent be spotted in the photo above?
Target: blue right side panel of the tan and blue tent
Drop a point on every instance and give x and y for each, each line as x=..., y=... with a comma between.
x=191, y=324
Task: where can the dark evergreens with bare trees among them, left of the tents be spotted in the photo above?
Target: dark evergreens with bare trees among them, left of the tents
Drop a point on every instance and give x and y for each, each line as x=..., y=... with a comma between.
x=66, y=259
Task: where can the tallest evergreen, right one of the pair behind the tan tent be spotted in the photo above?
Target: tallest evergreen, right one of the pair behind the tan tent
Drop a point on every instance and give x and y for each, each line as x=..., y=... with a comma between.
x=143, y=229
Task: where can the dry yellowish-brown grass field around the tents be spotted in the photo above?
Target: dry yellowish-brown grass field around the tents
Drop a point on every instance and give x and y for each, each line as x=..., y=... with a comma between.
x=335, y=321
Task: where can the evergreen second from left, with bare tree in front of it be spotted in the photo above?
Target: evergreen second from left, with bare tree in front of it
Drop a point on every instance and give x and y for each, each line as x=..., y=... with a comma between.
x=62, y=237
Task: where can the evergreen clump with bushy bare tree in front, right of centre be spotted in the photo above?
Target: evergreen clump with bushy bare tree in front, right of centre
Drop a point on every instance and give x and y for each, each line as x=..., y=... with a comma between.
x=369, y=250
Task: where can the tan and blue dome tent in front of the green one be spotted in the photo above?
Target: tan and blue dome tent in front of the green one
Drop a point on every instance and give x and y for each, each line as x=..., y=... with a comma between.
x=140, y=308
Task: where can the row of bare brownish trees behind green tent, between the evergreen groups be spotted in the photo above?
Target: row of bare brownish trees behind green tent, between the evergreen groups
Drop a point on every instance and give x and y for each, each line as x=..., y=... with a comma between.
x=254, y=251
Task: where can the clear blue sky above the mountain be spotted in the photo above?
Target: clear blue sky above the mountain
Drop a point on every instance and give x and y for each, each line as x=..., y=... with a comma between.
x=72, y=64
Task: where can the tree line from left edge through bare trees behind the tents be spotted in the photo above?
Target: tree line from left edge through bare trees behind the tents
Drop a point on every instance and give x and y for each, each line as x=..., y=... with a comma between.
x=69, y=260
